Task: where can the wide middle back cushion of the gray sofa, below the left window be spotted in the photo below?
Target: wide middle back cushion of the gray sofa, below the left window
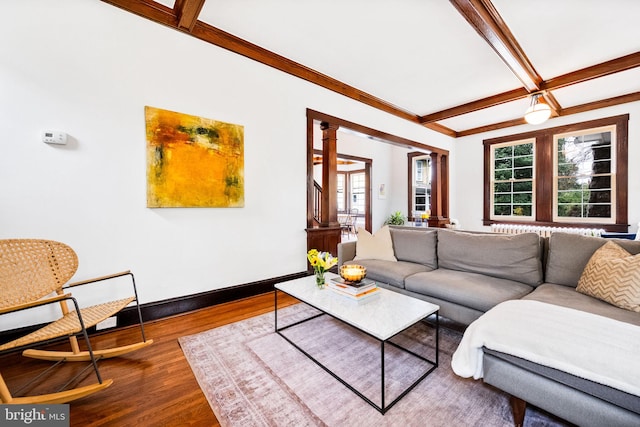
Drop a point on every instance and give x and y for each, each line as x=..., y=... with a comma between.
x=516, y=257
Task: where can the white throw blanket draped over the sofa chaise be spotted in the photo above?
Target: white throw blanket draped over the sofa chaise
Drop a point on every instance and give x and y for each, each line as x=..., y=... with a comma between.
x=586, y=345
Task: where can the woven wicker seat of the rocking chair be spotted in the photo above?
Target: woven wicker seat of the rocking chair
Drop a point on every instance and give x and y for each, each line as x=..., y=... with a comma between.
x=69, y=324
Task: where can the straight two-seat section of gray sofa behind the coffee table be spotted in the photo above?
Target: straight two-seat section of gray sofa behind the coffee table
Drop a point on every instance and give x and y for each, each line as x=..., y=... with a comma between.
x=464, y=273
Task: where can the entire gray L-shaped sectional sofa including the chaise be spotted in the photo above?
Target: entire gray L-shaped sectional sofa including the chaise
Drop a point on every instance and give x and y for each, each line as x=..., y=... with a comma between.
x=468, y=273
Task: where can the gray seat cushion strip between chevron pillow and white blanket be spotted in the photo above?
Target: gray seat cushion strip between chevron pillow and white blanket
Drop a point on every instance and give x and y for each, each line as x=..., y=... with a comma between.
x=567, y=296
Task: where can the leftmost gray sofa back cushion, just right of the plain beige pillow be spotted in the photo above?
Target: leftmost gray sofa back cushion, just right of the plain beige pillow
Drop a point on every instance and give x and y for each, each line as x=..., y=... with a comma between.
x=415, y=246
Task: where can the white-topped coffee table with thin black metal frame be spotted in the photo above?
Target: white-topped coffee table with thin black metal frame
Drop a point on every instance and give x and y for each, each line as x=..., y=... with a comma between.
x=382, y=316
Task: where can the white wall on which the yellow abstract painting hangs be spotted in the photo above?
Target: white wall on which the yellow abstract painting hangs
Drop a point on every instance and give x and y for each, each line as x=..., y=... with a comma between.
x=88, y=68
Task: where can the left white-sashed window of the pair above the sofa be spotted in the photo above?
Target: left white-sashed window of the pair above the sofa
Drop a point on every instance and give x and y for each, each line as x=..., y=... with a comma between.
x=513, y=180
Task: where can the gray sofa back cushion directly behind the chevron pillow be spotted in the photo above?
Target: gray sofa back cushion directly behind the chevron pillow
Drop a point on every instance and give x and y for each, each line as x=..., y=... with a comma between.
x=569, y=254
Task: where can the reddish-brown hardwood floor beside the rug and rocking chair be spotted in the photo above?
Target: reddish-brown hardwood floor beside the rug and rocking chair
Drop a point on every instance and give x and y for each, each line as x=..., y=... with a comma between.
x=153, y=386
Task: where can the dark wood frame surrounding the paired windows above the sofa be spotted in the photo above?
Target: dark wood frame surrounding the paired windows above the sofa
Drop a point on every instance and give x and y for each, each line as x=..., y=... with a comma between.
x=544, y=183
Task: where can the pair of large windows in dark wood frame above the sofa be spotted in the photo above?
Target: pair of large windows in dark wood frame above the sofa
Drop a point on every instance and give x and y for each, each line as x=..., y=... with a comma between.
x=574, y=175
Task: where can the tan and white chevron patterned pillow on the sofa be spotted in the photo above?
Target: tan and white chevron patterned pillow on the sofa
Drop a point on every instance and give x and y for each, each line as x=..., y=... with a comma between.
x=613, y=275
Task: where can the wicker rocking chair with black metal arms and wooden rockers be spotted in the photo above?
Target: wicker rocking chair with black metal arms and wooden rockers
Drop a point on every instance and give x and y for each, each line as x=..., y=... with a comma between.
x=34, y=273
